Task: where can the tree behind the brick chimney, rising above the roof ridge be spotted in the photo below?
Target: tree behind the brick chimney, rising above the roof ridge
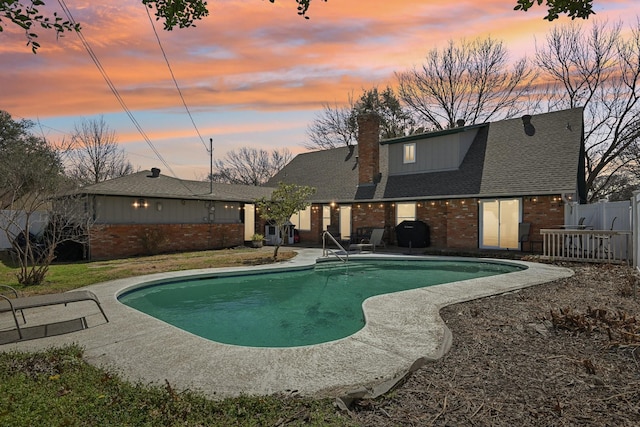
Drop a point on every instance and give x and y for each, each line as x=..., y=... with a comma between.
x=338, y=126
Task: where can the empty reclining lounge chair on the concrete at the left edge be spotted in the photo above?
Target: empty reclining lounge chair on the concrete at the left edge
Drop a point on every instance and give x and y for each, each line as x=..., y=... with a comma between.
x=18, y=303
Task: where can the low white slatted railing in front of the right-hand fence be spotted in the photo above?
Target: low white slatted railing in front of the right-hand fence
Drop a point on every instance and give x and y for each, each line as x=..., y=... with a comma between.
x=586, y=245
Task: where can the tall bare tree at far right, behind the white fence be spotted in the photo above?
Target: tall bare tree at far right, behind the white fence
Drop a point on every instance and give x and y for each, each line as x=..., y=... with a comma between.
x=597, y=69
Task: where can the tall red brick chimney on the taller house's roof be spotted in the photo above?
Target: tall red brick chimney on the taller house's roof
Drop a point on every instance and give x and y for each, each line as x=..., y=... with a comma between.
x=368, y=148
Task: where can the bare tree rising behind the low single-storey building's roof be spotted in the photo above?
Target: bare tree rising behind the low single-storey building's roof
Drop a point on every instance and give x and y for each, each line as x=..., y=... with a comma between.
x=95, y=155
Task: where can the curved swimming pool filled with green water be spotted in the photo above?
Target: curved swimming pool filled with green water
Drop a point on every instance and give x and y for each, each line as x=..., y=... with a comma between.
x=294, y=308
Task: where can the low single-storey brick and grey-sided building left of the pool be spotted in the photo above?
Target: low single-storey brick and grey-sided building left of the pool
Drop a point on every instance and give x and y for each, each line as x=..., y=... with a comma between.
x=146, y=213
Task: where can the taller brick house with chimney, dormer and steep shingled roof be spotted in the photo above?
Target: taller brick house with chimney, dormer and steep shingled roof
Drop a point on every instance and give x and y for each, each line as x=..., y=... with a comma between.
x=472, y=185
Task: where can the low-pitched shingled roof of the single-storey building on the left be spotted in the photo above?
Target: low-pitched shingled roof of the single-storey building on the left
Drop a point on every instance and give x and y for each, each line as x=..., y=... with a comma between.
x=142, y=185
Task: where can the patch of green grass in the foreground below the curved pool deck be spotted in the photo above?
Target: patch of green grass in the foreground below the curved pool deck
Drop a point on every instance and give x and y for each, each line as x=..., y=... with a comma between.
x=57, y=388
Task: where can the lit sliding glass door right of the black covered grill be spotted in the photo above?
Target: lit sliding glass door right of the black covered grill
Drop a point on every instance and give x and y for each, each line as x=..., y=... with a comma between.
x=499, y=221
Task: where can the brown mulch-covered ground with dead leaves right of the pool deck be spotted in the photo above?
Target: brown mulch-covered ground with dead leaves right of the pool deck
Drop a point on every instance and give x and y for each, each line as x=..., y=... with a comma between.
x=560, y=354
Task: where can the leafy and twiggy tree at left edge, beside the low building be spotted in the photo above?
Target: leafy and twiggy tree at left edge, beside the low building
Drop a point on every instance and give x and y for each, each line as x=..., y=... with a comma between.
x=34, y=219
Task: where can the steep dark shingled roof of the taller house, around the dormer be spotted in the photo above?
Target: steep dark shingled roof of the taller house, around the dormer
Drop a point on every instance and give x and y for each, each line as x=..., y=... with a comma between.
x=502, y=161
